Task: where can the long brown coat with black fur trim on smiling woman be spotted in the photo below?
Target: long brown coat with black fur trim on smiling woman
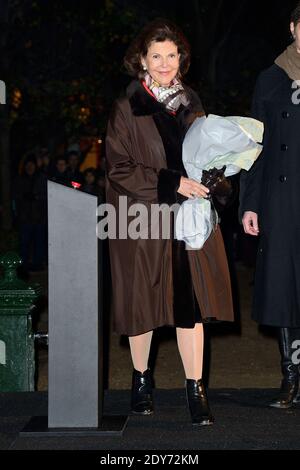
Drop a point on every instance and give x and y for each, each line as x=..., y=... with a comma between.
x=157, y=282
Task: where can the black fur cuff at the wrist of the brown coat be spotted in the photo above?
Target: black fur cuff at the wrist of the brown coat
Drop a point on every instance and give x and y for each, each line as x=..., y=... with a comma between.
x=167, y=186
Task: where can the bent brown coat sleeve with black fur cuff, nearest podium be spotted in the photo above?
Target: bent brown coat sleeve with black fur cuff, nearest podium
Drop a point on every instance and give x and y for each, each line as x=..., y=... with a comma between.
x=131, y=178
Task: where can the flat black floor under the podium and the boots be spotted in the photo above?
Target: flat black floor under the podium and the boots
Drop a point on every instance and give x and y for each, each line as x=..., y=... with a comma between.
x=242, y=421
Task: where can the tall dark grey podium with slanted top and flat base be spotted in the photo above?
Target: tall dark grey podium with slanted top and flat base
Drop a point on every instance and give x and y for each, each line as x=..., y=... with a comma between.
x=75, y=390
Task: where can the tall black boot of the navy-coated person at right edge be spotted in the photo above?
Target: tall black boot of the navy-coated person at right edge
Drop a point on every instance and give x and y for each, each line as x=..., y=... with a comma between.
x=290, y=382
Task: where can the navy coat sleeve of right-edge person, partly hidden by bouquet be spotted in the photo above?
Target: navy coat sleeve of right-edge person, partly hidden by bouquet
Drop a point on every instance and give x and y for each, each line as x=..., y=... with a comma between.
x=251, y=181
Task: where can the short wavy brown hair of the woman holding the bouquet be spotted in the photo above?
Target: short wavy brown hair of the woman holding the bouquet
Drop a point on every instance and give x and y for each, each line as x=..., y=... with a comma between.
x=158, y=30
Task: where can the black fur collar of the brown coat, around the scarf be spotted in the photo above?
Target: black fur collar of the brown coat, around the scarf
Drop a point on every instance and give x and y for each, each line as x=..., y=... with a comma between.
x=143, y=104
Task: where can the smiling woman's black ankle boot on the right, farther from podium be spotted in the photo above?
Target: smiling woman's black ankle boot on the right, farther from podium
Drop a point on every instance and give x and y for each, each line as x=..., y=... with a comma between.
x=198, y=403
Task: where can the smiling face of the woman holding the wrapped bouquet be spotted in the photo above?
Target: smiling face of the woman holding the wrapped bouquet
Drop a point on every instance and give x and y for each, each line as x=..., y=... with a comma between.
x=162, y=61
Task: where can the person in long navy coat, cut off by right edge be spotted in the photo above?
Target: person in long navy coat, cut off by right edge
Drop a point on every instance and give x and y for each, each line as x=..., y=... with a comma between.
x=269, y=205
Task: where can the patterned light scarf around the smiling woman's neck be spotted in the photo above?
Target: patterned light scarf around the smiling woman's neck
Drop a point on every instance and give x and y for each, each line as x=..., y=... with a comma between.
x=171, y=96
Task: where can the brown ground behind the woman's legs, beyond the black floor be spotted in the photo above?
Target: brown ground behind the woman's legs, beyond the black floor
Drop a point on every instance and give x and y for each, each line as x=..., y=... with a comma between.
x=241, y=356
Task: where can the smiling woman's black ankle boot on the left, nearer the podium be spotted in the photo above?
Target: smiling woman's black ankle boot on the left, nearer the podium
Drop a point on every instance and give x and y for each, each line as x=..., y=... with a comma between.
x=141, y=393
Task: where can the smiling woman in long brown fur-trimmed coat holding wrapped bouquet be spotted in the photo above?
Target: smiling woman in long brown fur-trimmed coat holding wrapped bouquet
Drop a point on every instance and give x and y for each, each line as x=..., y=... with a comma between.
x=156, y=280
